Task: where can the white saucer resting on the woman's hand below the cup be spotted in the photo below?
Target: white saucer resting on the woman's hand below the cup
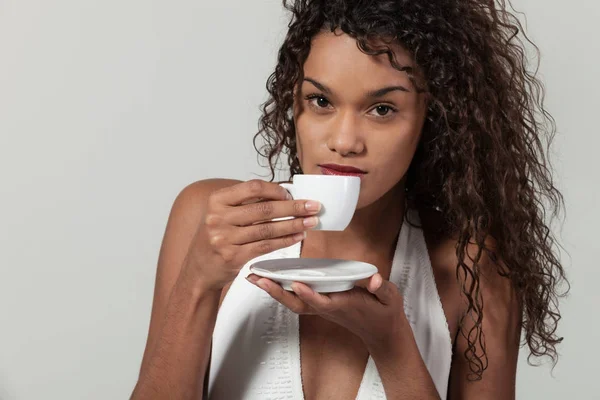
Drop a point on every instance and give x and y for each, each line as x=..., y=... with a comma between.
x=323, y=275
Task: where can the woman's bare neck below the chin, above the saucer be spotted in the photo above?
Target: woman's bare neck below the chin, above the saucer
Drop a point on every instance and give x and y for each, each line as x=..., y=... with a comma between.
x=373, y=230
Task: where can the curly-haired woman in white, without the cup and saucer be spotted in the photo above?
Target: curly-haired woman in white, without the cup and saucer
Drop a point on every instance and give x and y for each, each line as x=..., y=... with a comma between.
x=432, y=104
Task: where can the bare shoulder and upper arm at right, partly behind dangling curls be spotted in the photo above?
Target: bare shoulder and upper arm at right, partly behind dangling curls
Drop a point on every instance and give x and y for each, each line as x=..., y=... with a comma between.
x=500, y=319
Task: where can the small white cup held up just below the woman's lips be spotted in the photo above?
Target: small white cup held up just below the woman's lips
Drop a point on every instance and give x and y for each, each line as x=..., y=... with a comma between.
x=338, y=196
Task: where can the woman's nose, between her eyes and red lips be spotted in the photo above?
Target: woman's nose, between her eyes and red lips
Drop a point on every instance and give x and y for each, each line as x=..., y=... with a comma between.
x=344, y=135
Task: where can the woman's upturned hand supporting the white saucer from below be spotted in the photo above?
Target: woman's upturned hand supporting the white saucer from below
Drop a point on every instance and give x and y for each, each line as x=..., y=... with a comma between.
x=373, y=311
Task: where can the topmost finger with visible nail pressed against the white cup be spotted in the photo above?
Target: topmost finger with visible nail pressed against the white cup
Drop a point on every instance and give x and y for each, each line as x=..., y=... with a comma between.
x=268, y=210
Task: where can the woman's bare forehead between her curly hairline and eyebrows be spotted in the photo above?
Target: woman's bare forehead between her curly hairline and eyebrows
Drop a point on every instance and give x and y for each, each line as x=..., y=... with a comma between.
x=335, y=56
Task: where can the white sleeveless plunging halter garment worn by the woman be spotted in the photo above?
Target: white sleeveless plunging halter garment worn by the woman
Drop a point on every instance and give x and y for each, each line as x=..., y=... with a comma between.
x=256, y=343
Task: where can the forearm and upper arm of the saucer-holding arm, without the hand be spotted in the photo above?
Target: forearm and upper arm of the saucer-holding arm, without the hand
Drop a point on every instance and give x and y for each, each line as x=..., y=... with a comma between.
x=401, y=367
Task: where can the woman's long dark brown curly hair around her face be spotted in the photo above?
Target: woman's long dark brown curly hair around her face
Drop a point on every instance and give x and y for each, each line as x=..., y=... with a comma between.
x=481, y=162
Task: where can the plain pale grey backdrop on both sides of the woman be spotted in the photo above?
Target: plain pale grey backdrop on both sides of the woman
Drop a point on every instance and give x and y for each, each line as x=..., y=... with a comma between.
x=109, y=108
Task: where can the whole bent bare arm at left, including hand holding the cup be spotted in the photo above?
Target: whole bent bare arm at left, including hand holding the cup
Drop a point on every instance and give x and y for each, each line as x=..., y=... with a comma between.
x=214, y=229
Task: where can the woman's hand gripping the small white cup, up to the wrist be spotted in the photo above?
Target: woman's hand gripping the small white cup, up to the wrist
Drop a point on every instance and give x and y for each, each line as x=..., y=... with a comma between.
x=237, y=227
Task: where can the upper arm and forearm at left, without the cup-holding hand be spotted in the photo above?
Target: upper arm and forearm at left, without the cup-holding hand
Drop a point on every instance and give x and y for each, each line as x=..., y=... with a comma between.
x=183, y=313
